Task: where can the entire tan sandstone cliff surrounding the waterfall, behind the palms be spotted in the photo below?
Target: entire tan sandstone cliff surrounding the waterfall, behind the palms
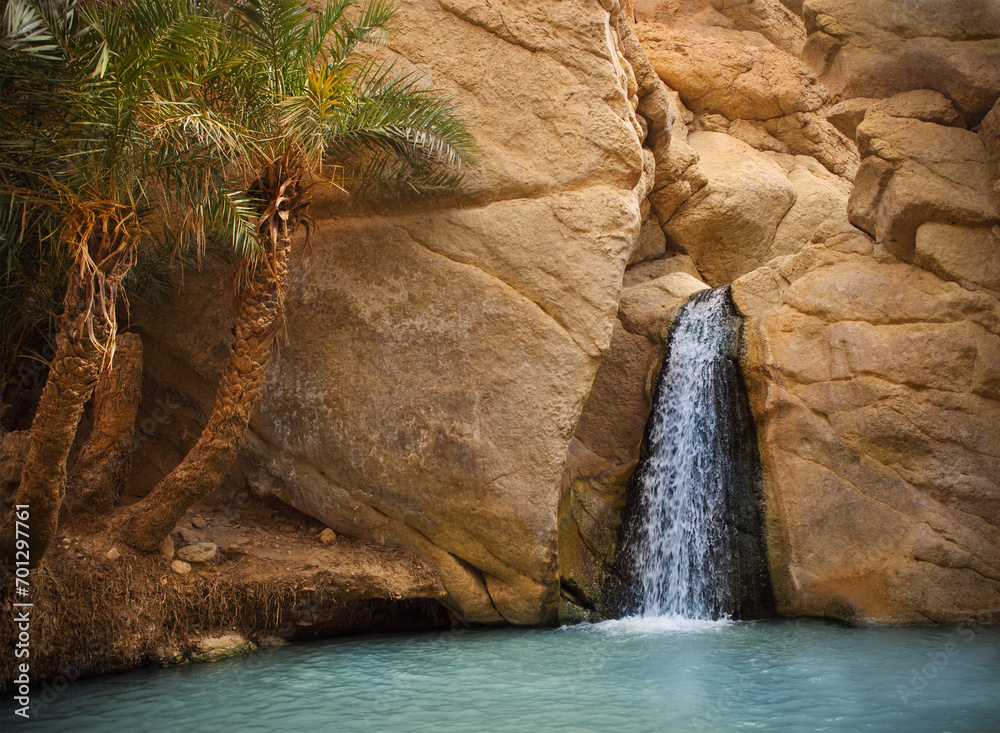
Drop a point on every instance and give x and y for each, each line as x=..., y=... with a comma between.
x=470, y=379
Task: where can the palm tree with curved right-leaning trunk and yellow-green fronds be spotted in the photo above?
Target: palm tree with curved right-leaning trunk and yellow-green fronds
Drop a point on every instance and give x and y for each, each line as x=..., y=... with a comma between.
x=325, y=114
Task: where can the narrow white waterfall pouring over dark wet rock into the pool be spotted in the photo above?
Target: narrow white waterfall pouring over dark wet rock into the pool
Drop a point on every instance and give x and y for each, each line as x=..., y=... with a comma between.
x=692, y=542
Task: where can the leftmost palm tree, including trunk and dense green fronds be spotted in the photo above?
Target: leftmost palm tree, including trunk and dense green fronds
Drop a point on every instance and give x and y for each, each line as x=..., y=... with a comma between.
x=106, y=130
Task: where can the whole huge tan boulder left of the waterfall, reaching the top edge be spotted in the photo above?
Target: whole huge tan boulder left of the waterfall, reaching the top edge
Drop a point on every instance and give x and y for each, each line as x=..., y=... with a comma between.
x=438, y=355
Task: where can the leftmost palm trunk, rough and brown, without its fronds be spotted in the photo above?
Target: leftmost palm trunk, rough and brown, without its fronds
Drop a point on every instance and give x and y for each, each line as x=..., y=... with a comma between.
x=71, y=380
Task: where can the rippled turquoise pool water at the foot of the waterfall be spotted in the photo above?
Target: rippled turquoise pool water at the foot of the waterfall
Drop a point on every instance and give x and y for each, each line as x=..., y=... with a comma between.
x=626, y=675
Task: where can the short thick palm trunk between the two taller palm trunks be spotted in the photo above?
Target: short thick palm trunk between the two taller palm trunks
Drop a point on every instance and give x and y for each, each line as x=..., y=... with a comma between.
x=102, y=469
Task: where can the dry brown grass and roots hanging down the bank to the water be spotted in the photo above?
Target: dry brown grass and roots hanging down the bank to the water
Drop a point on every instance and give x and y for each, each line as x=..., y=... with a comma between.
x=92, y=617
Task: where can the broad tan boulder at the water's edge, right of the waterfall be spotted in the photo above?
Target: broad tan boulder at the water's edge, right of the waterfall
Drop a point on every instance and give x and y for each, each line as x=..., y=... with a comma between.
x=876, y=389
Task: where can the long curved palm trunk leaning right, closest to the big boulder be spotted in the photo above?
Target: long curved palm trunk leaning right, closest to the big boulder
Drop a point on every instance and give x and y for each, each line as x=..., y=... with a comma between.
x=149, y=520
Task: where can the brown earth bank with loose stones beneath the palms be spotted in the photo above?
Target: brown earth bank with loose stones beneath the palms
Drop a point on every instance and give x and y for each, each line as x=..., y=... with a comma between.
x=263, y=576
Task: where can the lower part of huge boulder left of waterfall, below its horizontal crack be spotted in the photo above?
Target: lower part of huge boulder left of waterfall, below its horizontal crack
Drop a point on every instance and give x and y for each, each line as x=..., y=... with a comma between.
x=434, y=373
